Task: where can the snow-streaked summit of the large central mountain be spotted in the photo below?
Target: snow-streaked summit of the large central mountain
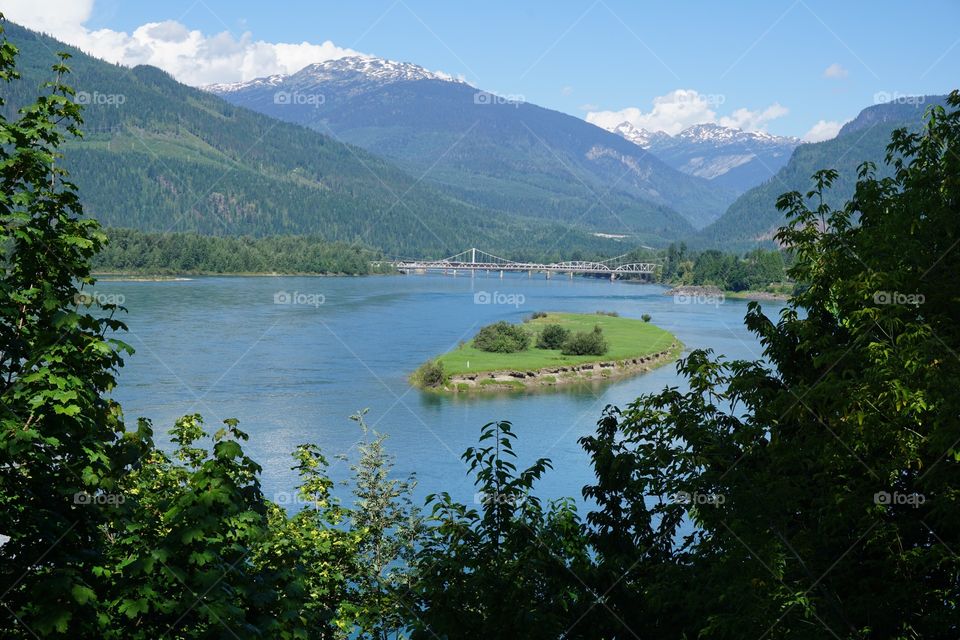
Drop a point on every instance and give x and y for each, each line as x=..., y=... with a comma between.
x=348, y=70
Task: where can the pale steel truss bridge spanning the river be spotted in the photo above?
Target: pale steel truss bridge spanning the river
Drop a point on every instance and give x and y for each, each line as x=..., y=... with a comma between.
x=473, y=260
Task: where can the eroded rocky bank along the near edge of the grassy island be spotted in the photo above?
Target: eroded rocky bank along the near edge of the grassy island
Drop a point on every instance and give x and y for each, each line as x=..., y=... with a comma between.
x=561, y=375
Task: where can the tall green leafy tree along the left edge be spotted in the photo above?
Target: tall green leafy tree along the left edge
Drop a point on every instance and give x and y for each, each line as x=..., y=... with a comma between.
x=62, y=447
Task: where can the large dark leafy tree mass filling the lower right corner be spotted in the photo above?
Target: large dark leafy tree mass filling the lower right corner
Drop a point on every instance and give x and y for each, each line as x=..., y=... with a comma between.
x=814, y=493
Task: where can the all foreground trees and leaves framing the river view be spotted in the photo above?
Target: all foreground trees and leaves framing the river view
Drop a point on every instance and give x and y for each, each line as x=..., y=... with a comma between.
x=810, y=494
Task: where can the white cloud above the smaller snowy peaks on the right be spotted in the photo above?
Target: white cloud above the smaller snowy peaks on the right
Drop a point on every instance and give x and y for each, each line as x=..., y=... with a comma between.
x=682, y=108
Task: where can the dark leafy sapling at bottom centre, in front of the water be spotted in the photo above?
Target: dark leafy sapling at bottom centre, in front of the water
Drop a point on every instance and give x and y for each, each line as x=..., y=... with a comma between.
x=508, y=569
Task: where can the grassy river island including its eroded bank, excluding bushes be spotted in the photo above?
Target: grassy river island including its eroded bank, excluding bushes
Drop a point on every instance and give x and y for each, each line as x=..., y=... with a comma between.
x=634, y=346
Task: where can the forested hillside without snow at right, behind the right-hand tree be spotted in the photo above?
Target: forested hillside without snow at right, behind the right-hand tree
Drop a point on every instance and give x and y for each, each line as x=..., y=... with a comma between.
x=753, y=218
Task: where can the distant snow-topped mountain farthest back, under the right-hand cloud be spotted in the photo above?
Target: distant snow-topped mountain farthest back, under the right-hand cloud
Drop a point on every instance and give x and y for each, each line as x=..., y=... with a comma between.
x=728, y=156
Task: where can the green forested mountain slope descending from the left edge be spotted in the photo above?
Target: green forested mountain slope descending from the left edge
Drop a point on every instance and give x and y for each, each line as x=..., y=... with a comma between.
x=158, y=155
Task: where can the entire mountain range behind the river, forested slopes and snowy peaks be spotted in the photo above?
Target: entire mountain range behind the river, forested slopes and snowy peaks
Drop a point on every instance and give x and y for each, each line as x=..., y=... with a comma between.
x=393, y=156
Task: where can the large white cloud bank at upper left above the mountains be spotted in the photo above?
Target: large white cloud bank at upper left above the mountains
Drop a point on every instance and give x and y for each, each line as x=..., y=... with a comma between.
x=189, y=55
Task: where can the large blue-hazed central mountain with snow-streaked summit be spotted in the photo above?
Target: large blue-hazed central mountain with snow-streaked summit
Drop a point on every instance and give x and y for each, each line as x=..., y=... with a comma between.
x=489, y=150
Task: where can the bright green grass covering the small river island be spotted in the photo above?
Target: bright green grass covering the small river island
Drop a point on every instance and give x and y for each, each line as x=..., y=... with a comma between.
x=627, y=338
